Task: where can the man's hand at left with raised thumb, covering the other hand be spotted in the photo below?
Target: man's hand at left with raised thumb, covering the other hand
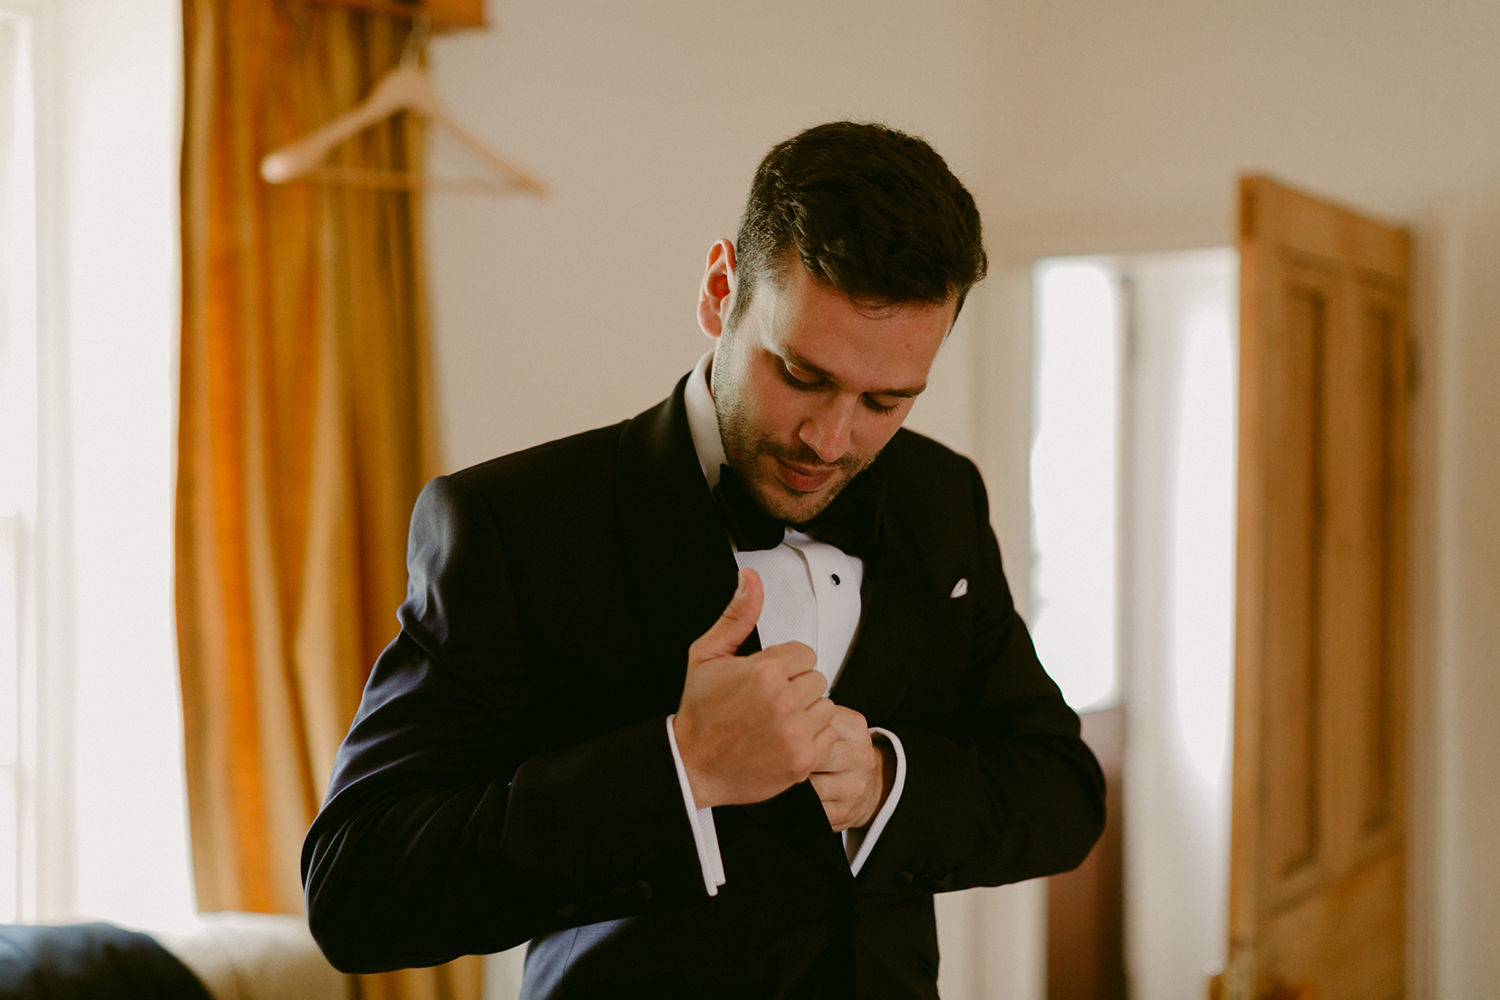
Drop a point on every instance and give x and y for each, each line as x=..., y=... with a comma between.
x=749, y=728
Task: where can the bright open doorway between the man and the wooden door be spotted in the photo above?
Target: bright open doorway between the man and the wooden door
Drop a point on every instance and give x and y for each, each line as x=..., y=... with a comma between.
x=1133, y=596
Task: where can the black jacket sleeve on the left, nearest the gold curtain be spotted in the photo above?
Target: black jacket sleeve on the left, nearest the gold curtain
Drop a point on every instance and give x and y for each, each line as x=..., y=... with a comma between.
x=449, y=827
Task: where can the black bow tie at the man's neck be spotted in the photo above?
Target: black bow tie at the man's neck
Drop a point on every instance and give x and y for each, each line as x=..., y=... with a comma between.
x=851, y=522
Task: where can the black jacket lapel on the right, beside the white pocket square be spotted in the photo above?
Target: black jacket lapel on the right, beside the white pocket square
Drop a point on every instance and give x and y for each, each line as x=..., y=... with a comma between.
x=901, y=609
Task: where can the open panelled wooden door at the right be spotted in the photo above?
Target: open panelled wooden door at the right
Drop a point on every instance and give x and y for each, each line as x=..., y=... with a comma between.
x=1318, y=851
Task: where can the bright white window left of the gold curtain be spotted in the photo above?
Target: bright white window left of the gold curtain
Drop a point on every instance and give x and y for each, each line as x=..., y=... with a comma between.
x=92, y=815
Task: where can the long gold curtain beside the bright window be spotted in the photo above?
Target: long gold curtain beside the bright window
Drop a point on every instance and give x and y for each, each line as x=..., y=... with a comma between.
x=305, y=433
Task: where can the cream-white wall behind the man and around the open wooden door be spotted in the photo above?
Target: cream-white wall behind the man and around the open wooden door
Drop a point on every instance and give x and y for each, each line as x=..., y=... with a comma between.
x=1084, y=127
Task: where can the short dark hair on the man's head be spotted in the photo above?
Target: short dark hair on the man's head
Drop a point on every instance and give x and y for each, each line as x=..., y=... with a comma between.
x=874, y=212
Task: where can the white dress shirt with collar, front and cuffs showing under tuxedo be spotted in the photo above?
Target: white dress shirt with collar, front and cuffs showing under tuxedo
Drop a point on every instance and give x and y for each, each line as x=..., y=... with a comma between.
x=812, y=596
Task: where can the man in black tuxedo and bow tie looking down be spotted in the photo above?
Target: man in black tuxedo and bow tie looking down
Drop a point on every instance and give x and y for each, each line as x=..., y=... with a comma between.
x=712, y=702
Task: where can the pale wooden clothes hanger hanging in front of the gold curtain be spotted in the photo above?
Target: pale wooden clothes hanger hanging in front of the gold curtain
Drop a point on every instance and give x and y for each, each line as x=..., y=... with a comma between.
x=407, y=88
